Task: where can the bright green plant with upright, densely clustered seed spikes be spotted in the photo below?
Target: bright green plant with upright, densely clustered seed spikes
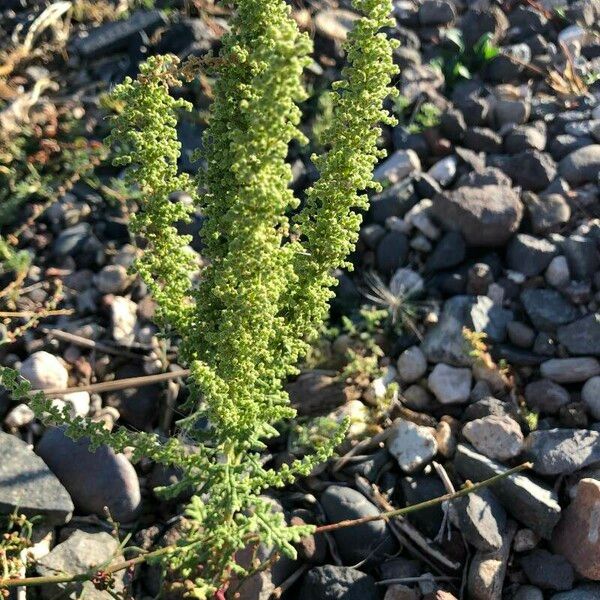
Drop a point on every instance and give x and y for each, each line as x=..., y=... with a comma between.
x=265, y=290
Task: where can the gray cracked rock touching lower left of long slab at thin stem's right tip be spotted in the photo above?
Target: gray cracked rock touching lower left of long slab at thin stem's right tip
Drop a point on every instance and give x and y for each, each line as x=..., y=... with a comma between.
x=481, y=519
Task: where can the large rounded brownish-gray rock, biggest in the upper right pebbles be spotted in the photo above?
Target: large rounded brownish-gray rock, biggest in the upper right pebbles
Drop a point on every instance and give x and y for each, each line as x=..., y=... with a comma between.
x=485, y=216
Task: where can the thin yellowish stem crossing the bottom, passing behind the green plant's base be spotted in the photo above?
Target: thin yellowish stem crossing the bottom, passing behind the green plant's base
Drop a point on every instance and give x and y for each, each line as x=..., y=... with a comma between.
x=126, y=564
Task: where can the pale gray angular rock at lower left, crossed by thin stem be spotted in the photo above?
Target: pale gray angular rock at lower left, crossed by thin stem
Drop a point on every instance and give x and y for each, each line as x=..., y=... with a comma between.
x=79, y=553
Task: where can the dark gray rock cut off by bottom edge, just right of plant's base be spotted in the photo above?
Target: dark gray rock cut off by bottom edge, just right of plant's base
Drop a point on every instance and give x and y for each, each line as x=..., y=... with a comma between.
x=337, y=583
